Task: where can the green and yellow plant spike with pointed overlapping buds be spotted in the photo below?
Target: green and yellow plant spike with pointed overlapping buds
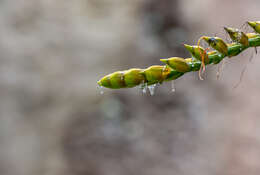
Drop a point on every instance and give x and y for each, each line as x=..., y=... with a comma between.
x=176, y=66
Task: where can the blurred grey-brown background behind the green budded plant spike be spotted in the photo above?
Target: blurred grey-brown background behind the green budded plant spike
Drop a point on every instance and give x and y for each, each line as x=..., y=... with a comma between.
x=54, y=121
